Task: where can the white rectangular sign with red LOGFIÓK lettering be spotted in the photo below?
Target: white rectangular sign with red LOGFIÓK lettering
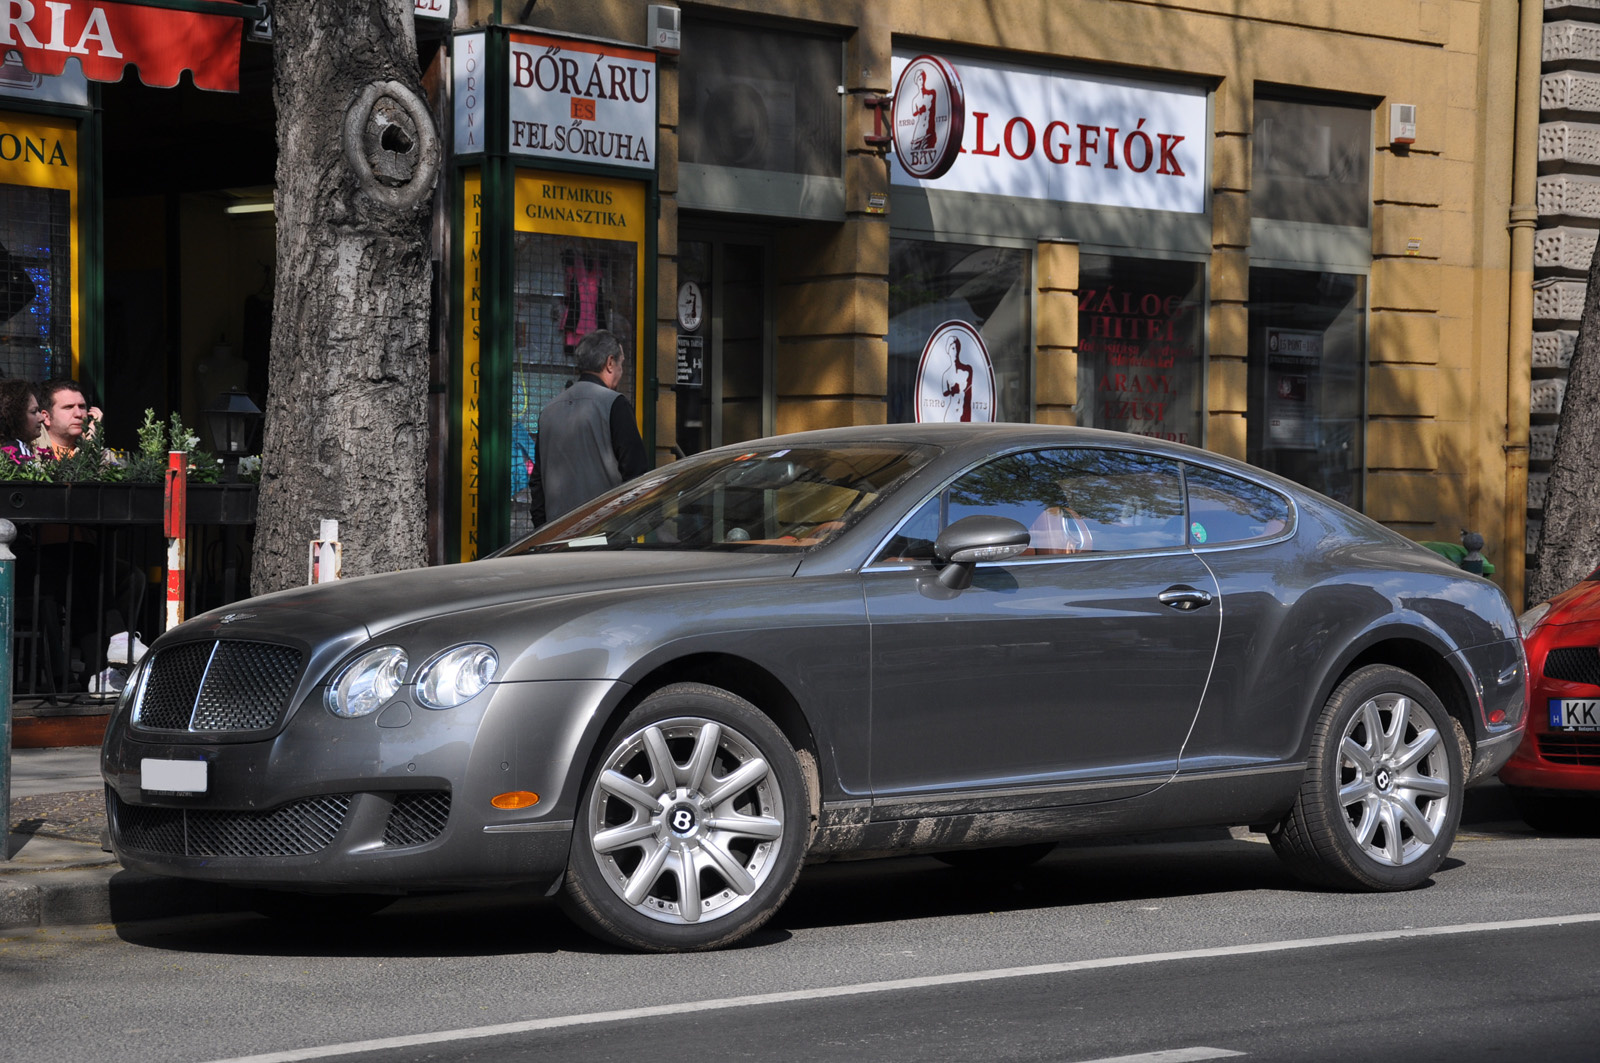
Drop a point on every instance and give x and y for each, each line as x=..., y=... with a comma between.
x=1034, y=134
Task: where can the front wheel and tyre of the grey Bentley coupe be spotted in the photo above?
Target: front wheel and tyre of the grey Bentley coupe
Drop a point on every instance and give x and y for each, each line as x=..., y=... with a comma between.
x=694, y=825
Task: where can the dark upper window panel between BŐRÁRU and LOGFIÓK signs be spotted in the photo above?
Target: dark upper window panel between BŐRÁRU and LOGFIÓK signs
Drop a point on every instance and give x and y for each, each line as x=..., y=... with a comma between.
x=759, y=100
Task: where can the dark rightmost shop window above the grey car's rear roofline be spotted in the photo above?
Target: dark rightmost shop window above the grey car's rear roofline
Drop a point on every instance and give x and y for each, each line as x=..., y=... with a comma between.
x=1308, y=358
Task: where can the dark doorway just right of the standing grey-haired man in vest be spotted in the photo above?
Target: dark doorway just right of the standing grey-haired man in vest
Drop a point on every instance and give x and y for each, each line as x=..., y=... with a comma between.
x=724, y=382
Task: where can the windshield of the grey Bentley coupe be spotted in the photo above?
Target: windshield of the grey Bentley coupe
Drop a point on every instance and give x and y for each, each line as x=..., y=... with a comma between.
x=786, y=499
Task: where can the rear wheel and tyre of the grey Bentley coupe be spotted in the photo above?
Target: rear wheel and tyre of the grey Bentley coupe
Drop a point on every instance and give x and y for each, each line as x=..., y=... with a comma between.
x=1383, y=790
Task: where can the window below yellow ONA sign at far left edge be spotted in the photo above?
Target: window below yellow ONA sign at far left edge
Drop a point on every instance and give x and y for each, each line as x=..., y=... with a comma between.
x=36, y=283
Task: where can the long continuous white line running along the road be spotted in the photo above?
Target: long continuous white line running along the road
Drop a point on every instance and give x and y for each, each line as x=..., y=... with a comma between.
x=666, y=1011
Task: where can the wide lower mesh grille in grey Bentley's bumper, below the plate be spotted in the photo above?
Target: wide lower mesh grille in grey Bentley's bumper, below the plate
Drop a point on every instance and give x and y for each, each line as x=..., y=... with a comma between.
x=295, y=830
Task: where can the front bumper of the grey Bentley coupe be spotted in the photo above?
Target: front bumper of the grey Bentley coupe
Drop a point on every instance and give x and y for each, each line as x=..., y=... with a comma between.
x=391, y=803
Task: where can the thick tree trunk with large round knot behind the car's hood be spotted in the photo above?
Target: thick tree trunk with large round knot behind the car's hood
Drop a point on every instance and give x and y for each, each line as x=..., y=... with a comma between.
x=346, y=420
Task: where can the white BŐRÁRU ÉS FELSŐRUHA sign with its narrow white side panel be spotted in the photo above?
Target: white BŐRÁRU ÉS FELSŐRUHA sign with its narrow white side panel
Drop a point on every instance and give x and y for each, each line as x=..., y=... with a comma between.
x=569, y=100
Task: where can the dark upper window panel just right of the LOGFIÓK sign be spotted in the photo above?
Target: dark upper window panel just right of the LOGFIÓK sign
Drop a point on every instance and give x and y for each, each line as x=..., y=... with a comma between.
x=1313, y=162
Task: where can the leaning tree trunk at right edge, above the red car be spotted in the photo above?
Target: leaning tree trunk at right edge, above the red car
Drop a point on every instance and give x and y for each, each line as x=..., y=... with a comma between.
x=1570, y=544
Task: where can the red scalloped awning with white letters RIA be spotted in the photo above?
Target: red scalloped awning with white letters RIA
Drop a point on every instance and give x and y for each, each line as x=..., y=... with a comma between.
x=161, y=38
